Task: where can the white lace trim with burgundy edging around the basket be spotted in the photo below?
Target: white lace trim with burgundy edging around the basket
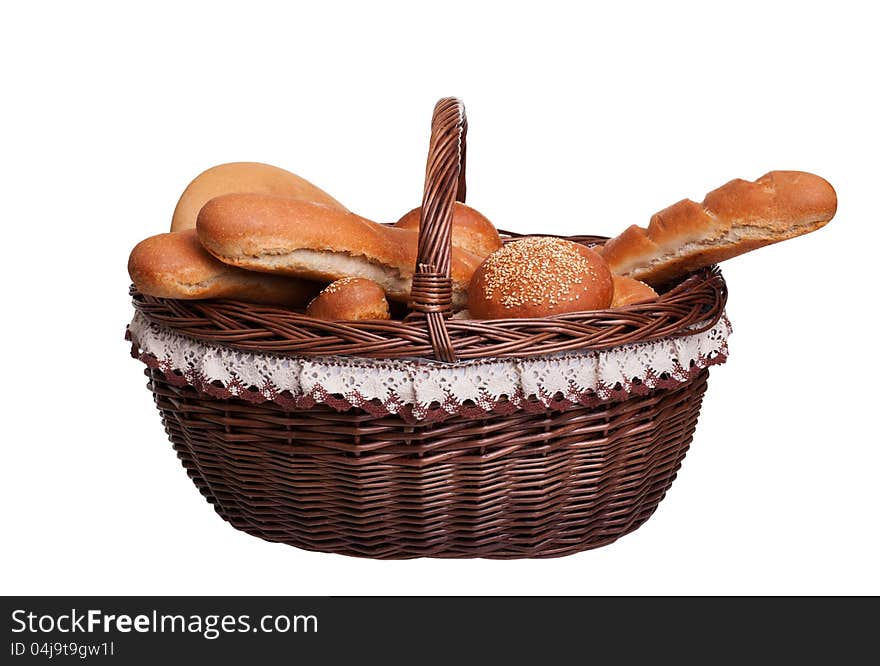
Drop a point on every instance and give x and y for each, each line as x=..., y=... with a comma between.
x=424, y=386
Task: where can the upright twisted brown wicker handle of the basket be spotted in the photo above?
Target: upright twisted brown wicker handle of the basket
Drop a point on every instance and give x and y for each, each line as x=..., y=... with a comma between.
x=431, y=295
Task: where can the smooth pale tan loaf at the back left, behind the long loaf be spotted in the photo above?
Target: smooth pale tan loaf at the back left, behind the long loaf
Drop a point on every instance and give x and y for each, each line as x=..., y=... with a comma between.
x=243, y=177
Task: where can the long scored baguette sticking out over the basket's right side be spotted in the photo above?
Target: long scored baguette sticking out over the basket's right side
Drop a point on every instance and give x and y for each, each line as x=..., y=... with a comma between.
x=737, y=217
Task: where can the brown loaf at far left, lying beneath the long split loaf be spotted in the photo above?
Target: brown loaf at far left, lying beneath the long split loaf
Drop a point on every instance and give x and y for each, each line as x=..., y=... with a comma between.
x=175, y=265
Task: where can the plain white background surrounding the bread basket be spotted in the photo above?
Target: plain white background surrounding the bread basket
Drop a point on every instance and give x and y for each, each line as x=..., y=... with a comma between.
x=580, y=121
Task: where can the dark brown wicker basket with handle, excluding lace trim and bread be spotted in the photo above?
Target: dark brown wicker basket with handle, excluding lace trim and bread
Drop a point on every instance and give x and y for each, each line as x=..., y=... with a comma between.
x=532, y=479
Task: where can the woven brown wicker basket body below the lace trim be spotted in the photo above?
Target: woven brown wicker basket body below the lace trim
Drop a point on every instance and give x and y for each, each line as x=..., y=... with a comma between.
x=526, y=485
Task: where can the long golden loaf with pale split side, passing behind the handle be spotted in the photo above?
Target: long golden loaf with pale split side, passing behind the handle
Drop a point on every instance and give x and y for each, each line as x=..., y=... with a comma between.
x=315, y=241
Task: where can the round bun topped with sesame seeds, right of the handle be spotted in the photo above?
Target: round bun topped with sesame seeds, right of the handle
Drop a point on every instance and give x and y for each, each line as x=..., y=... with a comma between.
x=539, y=277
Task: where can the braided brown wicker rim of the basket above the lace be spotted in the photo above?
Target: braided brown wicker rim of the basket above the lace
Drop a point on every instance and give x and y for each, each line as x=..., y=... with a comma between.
x=690, y=307
